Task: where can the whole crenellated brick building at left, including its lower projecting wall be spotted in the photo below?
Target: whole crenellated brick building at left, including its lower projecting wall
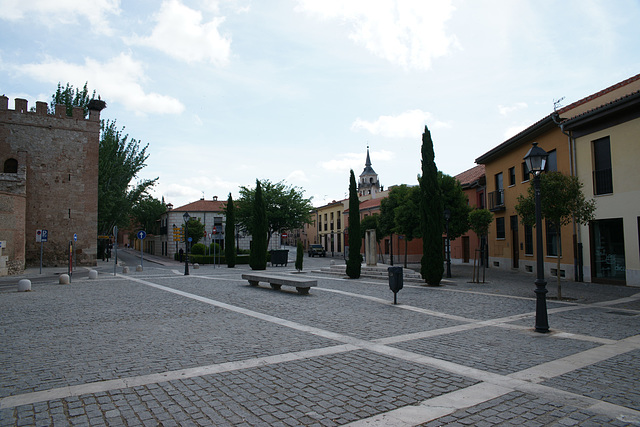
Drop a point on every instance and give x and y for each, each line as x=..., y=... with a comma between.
x=49, y=181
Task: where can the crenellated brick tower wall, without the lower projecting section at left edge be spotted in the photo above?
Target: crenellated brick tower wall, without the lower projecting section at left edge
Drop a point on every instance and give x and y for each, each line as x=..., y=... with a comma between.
x=61, y=178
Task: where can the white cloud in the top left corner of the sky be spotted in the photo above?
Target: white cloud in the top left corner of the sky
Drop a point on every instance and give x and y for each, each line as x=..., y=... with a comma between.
x=62, y=12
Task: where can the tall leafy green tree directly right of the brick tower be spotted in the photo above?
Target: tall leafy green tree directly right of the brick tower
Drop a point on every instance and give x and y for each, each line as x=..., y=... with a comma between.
x=120, y=161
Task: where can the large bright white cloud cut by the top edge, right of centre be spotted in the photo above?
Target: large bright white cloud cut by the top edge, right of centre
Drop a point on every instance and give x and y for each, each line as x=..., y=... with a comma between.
x=405, y=32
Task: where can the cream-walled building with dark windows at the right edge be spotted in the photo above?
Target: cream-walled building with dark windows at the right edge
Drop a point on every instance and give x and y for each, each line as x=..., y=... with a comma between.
x=607, y=140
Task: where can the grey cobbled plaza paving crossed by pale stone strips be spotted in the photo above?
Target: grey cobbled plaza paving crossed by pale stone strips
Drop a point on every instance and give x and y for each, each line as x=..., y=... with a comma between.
x=157, y=348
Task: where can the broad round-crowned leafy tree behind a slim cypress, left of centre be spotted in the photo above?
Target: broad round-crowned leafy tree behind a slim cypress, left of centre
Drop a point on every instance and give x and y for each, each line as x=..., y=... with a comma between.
x=286, y=208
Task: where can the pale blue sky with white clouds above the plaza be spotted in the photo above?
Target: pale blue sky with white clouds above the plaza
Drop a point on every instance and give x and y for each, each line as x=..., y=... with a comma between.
x=225, y=92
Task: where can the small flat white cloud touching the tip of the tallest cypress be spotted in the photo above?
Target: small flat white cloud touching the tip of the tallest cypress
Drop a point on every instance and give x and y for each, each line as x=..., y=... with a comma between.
x=405, y=125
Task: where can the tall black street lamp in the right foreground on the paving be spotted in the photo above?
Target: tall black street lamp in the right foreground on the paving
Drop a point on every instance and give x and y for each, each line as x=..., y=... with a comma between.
x=536, y=160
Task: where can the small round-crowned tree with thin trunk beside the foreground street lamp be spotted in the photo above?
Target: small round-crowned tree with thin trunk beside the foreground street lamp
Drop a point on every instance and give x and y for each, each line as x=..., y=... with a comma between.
x=561, y=202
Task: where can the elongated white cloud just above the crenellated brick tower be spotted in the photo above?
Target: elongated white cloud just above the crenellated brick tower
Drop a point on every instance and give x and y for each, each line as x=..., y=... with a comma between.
x=117, y=80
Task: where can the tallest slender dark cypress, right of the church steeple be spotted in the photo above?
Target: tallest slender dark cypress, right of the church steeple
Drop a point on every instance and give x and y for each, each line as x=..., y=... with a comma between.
x=431, y=215
